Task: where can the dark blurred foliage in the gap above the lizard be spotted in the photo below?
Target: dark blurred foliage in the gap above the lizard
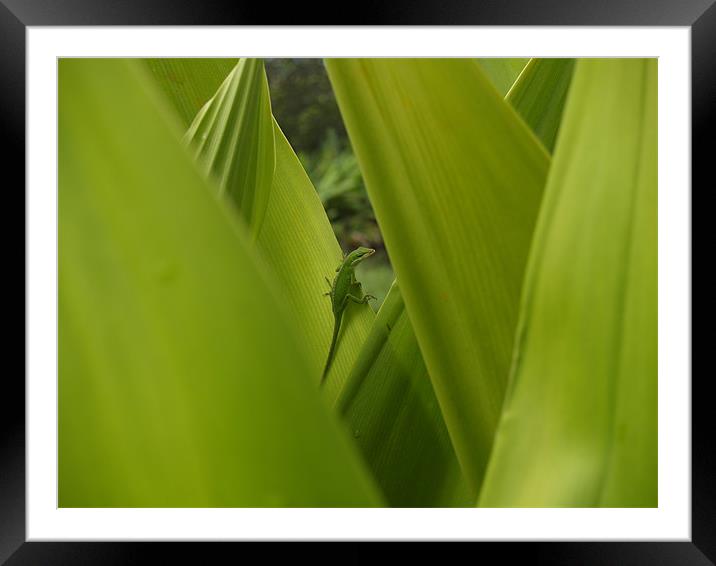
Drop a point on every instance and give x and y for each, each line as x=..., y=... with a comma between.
x=303, y=103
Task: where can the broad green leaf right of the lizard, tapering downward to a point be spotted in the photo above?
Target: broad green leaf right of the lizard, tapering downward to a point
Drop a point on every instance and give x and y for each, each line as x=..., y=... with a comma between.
x=455, y=178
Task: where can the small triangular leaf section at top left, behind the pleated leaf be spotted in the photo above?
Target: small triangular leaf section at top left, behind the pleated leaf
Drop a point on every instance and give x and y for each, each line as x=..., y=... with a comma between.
x=189, y=83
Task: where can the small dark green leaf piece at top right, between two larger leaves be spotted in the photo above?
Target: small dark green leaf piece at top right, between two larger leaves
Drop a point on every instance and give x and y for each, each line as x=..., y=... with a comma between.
x=539, y=94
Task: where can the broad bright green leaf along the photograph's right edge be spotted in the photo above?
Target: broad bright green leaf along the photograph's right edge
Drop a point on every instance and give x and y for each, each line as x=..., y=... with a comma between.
x=579, y=426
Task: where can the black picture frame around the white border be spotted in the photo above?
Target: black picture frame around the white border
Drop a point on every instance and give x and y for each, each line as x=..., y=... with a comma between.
x=16, y=15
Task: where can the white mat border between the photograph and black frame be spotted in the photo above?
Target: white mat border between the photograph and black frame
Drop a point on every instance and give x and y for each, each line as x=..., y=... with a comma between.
x=670, y=521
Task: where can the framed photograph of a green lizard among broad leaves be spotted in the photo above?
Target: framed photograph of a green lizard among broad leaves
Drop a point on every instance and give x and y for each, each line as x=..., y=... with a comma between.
x=357, y=282
